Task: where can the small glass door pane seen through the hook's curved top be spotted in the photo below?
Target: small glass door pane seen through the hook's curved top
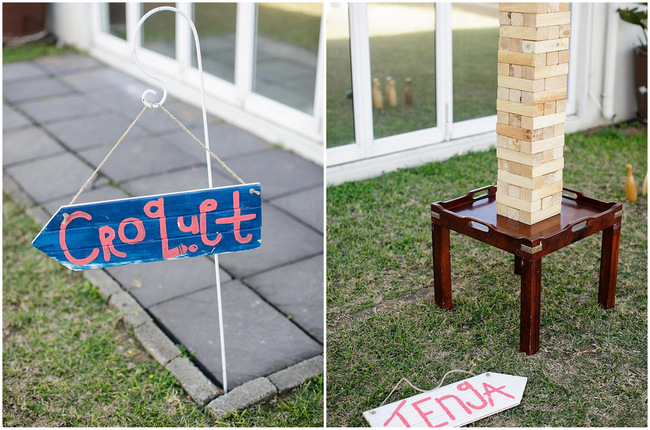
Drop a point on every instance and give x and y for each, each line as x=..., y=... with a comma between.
x=159, y=31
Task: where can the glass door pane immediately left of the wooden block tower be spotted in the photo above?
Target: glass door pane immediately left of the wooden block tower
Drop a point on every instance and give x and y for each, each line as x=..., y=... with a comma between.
x=475, y=39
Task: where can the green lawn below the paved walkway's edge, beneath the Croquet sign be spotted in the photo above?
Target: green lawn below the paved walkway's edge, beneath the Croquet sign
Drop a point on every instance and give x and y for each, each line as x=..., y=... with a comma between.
x=69, y=360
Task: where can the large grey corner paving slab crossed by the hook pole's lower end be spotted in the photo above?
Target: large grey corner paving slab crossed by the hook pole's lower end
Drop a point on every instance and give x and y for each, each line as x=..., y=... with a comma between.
x=259, y=340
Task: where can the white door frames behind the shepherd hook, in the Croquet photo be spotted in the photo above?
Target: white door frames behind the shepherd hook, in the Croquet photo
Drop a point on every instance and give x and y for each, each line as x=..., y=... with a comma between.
x=234, y=102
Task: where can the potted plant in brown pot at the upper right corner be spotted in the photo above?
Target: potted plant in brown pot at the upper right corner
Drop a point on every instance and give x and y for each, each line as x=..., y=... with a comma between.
x=640, y=18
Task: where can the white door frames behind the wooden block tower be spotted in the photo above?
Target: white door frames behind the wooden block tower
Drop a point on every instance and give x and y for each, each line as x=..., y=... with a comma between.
x=366, y=146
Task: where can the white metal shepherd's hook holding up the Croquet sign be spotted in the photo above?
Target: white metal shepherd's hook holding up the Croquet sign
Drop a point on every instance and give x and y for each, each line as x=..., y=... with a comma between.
x=207, y=145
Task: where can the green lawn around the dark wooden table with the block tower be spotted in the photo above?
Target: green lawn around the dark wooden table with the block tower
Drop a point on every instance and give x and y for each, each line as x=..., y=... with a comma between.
x=591, y=369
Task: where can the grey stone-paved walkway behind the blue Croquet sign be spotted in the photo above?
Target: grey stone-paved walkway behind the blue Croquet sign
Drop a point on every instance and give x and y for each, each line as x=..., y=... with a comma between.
x=61, y=116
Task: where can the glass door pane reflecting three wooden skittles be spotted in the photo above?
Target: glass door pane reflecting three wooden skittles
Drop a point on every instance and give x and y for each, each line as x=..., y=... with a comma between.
x=402, y=47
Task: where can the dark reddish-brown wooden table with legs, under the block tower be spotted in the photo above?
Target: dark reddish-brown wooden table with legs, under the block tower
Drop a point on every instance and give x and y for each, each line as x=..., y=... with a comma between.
x=474, y=215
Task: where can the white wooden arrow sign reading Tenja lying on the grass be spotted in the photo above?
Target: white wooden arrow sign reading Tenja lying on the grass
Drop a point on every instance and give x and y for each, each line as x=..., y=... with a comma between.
x=453, y=405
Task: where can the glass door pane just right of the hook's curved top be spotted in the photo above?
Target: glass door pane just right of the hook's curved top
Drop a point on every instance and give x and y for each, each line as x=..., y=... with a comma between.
x=216, y=23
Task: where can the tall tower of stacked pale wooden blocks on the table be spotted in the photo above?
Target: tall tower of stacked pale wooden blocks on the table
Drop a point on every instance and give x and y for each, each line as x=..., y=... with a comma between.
x=533, y=63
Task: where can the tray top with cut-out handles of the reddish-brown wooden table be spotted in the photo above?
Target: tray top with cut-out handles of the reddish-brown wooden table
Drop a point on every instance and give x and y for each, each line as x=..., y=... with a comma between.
x=477, y=209
